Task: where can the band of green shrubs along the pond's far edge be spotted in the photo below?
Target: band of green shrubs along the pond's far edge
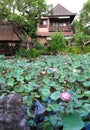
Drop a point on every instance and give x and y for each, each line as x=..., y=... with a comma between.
x=57, y=45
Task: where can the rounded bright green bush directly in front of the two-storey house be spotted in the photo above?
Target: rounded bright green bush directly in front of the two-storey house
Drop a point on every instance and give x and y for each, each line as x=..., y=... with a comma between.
x=57, y=42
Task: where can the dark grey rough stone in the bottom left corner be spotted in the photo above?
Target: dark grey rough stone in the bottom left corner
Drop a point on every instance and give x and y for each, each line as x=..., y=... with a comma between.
x=12, y=113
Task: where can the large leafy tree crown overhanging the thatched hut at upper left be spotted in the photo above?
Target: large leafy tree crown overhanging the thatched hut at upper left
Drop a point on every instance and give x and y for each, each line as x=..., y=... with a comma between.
x=24, y=12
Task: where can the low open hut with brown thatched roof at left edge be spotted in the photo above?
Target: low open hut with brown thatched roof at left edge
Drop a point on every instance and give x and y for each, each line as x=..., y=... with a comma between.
x=9, y=38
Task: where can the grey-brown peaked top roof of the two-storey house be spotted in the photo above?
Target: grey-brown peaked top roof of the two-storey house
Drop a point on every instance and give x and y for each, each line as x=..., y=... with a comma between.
x=59, y=10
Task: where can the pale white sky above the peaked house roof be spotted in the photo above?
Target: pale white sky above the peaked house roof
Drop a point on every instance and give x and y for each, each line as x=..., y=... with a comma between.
x=72, y=5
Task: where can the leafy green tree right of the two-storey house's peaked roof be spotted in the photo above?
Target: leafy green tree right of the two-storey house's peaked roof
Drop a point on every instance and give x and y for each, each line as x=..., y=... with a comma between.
x=82, y=24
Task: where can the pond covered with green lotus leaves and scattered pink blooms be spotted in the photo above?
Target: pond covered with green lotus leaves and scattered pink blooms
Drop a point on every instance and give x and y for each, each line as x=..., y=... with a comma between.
x=45, y=79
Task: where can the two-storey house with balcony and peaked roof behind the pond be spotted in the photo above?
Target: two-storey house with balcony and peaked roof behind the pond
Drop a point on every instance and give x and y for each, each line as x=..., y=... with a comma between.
x=59, y=19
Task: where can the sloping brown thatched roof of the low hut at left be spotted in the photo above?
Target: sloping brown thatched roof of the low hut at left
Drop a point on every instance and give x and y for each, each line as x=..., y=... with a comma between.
x=7, y=33
